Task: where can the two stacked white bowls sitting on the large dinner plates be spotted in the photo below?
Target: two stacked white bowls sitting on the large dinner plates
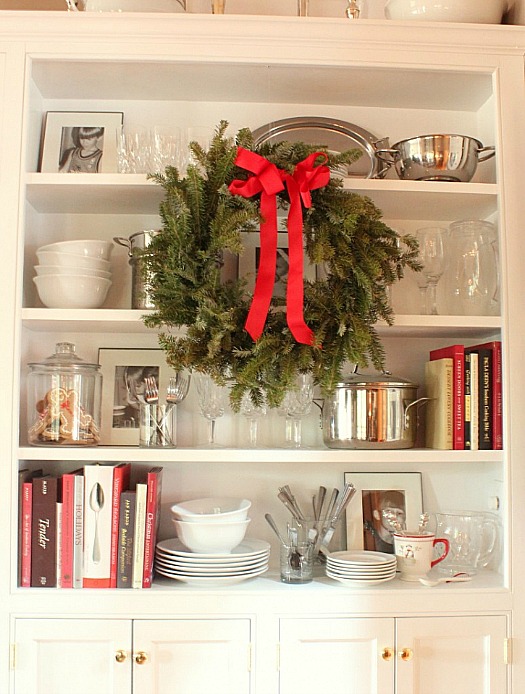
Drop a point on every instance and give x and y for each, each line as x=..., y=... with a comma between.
x=215, y=524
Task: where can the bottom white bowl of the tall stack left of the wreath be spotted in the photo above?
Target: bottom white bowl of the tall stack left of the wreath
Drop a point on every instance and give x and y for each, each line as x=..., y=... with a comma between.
x=72, y=291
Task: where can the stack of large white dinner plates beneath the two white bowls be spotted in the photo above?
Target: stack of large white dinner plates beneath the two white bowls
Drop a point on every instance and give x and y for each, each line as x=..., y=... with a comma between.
x=247, y=560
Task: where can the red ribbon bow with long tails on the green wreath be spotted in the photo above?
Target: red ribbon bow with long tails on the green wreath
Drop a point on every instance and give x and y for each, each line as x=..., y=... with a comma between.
x=269, y=180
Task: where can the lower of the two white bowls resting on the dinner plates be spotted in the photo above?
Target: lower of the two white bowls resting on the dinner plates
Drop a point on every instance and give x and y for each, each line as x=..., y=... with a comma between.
x=211, y=537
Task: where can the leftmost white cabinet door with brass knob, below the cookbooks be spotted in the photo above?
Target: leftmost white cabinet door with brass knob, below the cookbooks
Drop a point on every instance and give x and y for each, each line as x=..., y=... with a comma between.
x=60, y=656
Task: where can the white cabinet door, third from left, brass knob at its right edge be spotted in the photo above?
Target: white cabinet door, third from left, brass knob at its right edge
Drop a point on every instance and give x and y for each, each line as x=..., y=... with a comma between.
x=340, y=656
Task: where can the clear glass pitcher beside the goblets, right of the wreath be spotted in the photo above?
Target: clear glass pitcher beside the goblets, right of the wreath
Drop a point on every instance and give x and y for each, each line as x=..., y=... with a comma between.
x=472, y=282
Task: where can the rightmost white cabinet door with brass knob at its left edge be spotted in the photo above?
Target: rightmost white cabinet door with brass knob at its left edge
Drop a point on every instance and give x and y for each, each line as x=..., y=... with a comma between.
x=451, y=655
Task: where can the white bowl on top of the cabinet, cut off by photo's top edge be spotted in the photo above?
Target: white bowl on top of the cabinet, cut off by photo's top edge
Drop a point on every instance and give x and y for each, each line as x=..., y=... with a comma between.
x=473, y=11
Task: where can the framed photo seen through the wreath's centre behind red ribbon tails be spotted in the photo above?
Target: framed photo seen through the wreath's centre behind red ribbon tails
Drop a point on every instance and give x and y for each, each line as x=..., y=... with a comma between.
x=249, y=262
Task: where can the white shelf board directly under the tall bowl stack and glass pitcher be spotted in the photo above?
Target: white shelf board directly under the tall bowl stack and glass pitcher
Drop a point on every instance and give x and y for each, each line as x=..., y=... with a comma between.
x=130, y=321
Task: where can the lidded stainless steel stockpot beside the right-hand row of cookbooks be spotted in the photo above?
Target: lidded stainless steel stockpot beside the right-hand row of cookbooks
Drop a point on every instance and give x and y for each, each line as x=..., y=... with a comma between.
x=368, y=412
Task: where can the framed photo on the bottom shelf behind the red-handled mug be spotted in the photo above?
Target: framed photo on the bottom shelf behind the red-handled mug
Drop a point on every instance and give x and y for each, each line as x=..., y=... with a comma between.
x=398, y=492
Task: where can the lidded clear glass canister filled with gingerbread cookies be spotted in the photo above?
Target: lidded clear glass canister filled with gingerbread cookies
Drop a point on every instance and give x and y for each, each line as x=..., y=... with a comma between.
x=64, y=396
